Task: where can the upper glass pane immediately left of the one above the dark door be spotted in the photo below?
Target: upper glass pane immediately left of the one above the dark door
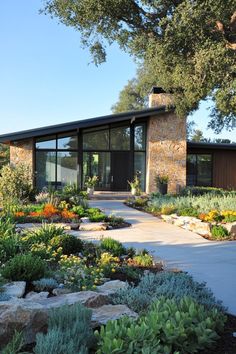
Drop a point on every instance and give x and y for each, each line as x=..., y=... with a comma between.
x=96, y=140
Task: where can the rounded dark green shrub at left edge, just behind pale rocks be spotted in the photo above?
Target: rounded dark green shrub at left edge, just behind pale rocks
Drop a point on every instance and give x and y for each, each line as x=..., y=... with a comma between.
x=24, y=267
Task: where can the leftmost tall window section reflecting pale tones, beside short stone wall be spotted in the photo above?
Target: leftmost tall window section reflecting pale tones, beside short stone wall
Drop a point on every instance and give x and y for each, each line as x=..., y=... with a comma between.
x=56, y=161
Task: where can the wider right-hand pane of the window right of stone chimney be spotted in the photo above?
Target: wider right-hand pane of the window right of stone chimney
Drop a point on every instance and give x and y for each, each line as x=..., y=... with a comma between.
x=204, y=170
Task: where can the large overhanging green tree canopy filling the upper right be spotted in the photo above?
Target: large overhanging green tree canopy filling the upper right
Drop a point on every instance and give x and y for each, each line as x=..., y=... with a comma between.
x=187, y=46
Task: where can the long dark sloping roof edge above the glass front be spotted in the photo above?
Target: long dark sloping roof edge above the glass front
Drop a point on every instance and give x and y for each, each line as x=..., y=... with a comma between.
x=85, y=123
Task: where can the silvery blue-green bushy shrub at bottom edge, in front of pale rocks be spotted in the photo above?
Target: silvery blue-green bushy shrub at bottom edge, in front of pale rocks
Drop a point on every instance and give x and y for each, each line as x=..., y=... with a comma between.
x=69, y=331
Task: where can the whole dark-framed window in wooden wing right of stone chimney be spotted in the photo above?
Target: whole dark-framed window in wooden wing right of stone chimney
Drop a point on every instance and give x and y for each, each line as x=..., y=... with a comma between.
x=199, y=170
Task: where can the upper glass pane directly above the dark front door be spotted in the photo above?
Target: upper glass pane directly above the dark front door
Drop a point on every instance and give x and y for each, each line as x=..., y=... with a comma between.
x=120, y=138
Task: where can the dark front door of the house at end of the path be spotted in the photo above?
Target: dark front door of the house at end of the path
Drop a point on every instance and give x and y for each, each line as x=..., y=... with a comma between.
x=120, y=170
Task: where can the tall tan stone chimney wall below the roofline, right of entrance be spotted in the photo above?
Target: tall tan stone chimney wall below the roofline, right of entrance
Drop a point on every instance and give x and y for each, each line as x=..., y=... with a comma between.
x=166, y=151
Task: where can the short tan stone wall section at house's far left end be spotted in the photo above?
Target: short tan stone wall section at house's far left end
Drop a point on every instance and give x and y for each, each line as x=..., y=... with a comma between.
x=22, y=152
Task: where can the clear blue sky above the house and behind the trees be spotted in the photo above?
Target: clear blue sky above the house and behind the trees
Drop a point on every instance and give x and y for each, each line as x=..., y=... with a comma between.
x=46, y=78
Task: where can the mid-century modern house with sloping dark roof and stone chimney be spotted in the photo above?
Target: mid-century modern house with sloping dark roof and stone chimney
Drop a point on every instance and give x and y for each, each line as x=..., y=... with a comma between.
x=151, y=142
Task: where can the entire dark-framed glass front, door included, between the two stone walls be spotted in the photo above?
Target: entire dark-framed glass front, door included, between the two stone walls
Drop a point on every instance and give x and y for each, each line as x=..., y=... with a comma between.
x=114, y=153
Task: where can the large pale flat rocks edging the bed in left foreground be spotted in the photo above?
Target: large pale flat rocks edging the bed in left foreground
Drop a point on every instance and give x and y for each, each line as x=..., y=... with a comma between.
x=30, y=316
